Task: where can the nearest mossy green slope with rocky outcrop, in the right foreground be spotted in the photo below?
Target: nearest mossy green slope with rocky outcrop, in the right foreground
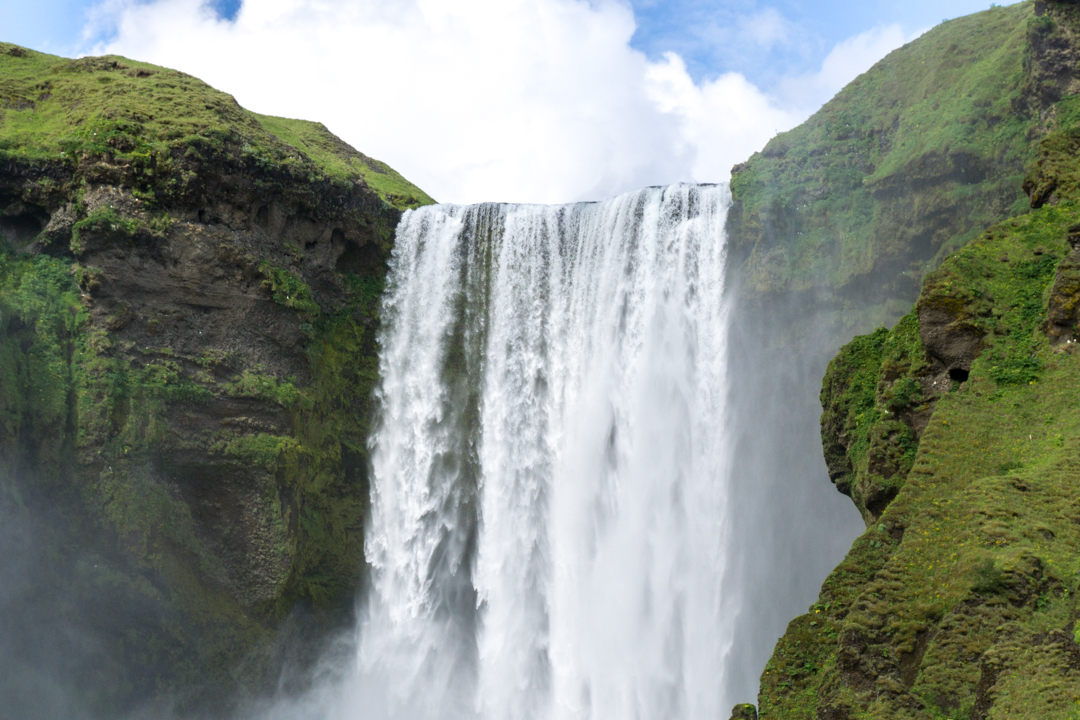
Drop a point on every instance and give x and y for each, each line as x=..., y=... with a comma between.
x=960, y=602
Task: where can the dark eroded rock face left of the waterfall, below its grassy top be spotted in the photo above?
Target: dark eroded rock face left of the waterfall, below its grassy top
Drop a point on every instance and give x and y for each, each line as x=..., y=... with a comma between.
x=208, y=455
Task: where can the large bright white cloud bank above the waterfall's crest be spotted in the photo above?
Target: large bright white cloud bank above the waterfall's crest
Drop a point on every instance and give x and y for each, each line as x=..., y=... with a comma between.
x=514, y=101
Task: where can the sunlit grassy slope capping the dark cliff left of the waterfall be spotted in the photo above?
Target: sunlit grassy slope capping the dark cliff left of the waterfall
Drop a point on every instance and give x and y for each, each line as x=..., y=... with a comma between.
x=55, y=108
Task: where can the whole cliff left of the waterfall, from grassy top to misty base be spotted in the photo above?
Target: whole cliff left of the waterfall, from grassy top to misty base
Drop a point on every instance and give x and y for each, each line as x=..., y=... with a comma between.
x=188, y=308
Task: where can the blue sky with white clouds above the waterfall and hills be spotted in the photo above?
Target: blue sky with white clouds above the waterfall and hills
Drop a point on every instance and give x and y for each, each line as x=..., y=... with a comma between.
x=512, y=101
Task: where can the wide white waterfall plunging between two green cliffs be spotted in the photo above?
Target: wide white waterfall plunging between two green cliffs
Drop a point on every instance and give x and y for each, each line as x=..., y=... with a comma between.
x=548, y=525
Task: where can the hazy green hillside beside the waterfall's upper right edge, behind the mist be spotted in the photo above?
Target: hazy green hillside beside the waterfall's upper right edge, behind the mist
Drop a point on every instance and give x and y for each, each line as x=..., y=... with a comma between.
x=909, y=162
